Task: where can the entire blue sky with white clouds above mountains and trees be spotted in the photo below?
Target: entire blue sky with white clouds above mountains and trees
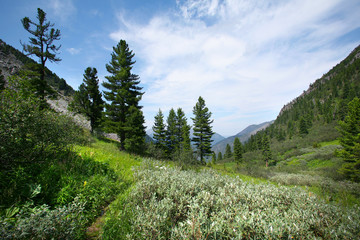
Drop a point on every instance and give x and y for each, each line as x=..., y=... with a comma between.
x=246, y=58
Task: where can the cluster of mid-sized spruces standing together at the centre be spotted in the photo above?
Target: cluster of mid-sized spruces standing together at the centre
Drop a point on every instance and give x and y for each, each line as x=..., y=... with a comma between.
x=172, y=139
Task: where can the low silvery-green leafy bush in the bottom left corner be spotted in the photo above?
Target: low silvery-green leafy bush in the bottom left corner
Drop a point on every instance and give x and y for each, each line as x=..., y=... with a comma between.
x=41, y=222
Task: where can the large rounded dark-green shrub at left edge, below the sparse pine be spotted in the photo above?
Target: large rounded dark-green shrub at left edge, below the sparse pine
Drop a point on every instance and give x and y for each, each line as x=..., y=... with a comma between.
x=30, y=135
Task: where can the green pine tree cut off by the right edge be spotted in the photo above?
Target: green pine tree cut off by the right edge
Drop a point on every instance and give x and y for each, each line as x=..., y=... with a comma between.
x=350, y=141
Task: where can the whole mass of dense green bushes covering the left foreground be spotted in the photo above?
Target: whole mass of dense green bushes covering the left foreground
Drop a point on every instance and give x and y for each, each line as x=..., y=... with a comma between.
x=47, y=191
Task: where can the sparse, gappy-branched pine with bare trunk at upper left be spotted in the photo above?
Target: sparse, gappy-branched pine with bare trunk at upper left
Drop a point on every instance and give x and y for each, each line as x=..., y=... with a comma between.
x=42, y=46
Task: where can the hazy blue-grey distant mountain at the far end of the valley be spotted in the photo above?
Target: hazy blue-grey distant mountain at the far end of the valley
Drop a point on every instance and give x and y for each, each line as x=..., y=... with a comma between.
x=243, y=136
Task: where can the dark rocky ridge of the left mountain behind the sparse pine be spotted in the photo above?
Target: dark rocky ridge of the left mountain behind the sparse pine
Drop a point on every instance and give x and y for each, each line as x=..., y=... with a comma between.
x=12, y=60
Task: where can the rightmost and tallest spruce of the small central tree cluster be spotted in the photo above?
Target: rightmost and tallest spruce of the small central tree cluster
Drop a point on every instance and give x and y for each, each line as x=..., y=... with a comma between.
x=202, y=129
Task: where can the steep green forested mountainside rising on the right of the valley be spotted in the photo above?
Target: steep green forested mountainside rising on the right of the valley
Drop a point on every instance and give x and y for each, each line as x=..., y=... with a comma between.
x=313, y=116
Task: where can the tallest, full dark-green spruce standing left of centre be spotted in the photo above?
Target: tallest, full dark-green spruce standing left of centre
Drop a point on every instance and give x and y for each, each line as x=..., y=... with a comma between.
x=123, y=94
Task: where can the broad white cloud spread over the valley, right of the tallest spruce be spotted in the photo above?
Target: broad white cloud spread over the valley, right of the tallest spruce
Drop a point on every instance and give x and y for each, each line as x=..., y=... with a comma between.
x=245, y=58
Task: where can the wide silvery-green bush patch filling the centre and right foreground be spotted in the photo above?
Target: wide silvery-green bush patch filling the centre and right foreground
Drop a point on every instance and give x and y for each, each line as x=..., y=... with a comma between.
x=167, y=203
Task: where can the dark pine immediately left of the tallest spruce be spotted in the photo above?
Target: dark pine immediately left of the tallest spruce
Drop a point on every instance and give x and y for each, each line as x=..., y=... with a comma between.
x=87, y=100
